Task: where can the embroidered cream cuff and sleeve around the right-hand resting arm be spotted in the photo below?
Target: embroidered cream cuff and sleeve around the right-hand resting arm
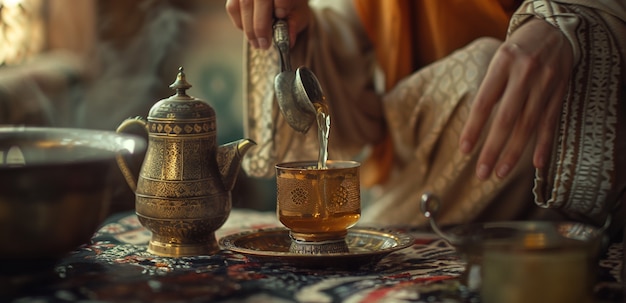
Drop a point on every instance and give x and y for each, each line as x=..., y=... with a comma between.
x=581, y=177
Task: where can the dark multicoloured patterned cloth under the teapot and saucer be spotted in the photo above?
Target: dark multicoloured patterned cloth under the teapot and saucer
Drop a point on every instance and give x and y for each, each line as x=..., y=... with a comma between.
x=115, y=267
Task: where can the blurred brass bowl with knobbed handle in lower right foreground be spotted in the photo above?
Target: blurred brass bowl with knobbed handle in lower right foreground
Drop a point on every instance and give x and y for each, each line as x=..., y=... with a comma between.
x=524, y=261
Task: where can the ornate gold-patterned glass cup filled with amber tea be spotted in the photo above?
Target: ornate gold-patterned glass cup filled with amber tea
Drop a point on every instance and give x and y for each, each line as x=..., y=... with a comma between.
x=318, y=205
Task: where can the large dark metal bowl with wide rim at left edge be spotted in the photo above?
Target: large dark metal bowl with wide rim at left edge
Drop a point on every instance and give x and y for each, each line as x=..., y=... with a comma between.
x=55, y=188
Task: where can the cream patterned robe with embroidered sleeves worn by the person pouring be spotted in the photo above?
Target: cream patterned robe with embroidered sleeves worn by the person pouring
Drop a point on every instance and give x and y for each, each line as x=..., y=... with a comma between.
x=422, y=114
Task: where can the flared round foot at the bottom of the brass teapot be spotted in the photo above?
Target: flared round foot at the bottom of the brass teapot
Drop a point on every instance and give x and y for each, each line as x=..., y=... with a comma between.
x=183, y=250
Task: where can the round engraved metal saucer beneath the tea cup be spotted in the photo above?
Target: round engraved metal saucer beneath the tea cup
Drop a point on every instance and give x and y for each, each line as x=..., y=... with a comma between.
x=366, y=246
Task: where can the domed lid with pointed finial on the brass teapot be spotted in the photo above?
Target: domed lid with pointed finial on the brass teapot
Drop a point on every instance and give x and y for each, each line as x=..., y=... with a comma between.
x=181, y=106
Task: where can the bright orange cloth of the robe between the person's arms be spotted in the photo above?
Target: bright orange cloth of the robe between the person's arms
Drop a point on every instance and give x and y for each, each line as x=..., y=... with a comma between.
x=409, y=34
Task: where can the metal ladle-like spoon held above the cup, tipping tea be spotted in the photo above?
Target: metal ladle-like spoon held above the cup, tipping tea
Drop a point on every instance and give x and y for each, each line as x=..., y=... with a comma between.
x=296, y=91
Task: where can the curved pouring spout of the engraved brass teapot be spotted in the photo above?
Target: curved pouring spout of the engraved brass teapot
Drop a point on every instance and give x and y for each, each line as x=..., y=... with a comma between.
x=229, y=157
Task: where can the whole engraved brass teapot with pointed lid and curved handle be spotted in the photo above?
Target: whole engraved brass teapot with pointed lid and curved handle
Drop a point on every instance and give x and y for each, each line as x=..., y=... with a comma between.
x=182, y=194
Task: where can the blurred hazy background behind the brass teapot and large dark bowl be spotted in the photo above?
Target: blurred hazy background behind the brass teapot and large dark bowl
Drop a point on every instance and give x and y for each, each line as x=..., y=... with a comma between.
x=93, y=63
